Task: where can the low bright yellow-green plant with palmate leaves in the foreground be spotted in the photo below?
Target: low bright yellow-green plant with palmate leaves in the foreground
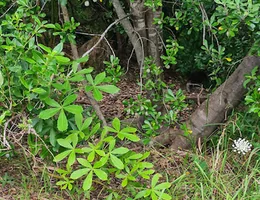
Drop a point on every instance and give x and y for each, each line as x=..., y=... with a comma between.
x=103, y=160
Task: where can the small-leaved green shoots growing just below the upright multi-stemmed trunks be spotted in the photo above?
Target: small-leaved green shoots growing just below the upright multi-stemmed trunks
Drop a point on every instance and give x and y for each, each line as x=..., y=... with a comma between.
x=162, y=106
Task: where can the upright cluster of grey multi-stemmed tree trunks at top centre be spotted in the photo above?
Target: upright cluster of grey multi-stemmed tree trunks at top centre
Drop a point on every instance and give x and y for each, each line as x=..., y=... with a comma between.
x=144, y=35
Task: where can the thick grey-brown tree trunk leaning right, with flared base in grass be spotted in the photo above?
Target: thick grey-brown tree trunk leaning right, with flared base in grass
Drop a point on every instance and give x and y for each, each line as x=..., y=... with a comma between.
x=212, y=111
